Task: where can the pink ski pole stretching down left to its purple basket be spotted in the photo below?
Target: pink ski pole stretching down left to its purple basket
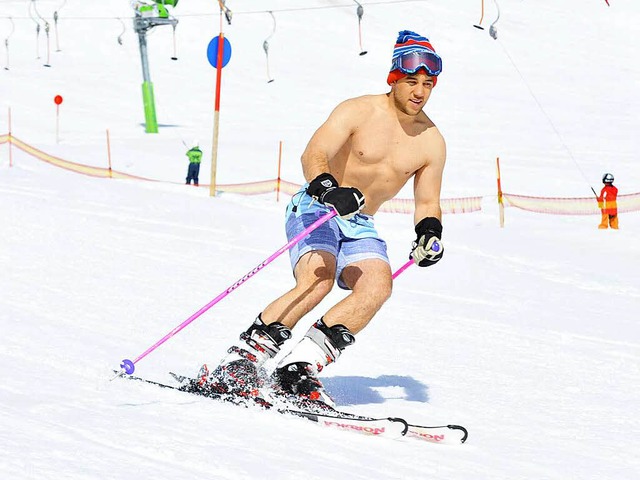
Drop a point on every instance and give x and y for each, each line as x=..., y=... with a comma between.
x=128, y=366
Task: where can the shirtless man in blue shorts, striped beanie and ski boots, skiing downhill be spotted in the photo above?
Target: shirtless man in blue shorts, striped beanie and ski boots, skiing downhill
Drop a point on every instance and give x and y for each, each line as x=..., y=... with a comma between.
x=362, y=155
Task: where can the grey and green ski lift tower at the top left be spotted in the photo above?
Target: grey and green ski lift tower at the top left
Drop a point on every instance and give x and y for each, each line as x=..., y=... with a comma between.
x=148, y=16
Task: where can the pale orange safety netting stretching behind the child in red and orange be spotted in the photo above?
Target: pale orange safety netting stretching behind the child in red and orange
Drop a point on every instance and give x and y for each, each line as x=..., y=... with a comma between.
x=569, y=206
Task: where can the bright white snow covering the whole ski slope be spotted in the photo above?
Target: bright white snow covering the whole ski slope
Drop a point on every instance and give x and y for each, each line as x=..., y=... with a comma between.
x=527, y=335
